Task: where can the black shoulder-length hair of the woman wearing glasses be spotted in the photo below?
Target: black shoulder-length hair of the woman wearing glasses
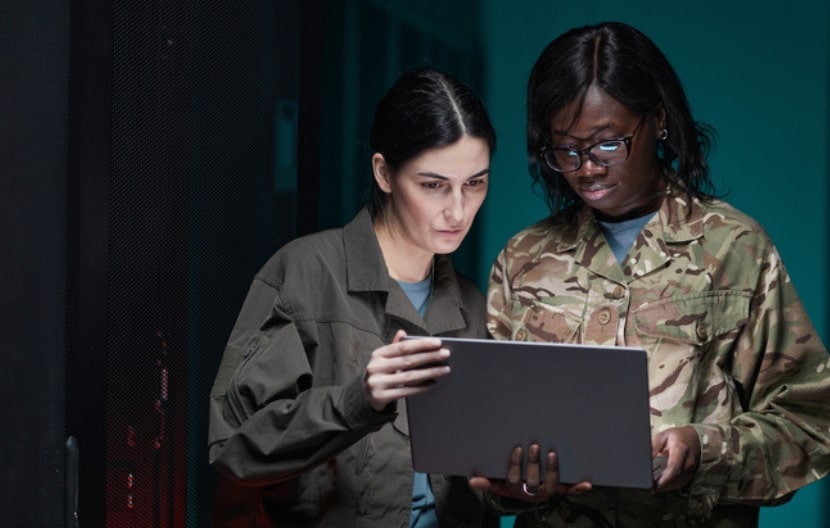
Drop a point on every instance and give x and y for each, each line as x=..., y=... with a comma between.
x=629, y=67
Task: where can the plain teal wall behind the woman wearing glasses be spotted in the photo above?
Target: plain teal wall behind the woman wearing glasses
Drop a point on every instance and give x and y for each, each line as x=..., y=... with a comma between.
x=757, y=71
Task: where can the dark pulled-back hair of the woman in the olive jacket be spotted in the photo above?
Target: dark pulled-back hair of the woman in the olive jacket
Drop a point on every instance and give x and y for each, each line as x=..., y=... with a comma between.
x=424, y=109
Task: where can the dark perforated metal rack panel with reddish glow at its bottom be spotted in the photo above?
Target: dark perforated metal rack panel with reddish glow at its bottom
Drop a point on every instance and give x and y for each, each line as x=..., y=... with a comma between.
x=200, y=194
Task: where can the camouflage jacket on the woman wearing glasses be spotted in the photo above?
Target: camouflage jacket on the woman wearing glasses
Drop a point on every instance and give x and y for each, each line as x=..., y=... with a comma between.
x=731, y=352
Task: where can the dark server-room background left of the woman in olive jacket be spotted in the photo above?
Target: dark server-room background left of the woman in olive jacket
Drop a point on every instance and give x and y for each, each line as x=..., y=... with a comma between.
x=154, y=155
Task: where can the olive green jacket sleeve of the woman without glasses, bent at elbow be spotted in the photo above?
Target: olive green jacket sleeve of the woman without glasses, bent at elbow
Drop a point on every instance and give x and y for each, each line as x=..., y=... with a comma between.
x=267, y=422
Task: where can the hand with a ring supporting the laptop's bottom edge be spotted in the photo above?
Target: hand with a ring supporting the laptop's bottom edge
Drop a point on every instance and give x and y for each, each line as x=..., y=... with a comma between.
x=533, y=488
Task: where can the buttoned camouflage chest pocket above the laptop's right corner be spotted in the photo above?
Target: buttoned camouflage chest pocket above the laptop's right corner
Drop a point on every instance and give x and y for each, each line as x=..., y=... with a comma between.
x=694, y=319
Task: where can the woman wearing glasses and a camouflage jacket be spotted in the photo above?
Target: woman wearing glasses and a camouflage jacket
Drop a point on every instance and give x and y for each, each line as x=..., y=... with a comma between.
x=638, y=251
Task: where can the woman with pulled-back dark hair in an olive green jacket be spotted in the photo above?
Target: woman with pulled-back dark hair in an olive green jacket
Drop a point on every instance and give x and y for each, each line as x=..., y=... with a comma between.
x=306, y=406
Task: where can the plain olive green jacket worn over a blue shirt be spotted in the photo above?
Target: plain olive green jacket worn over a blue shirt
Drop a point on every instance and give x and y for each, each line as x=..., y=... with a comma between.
x=287, y=409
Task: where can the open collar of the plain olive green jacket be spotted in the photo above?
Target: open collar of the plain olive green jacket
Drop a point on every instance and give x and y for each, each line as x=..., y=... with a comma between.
x=366, y=271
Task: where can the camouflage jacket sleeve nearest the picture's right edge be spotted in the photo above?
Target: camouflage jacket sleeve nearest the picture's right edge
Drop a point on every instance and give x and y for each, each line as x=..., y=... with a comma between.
x=781, y=441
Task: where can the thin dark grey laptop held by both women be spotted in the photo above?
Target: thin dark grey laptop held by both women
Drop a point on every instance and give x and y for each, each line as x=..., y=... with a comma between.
x=589, y=403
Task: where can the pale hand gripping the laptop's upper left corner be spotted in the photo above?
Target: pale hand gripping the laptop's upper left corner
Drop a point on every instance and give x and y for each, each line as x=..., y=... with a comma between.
x=403, y=368
